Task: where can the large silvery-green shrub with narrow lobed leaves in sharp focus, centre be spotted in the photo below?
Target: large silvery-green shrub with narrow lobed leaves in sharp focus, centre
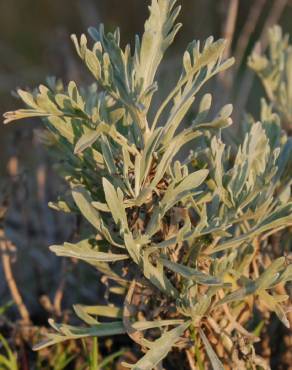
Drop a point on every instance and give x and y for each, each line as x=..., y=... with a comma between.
x=184, y=239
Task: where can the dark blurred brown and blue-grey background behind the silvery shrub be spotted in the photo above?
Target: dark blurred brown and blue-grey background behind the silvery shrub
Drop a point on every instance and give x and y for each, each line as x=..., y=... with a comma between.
x=34, y=44
